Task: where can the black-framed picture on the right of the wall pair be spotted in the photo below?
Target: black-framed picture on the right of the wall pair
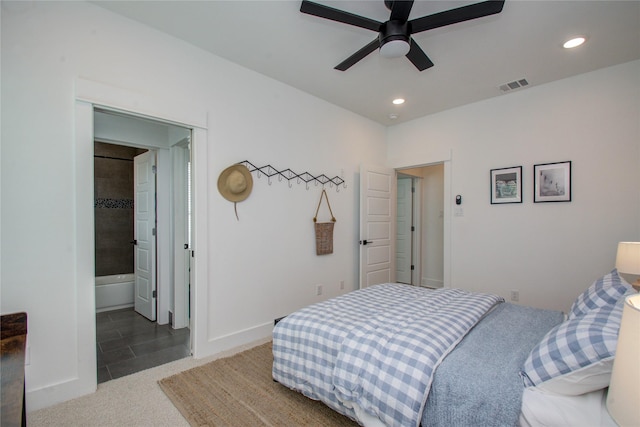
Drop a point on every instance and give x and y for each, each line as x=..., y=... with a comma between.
x=552, y=182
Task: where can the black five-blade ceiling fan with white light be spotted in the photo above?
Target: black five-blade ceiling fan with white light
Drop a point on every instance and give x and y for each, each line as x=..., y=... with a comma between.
x=394, y=39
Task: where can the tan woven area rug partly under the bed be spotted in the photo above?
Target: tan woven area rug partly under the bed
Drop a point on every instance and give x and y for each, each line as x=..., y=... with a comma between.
x=239, y=391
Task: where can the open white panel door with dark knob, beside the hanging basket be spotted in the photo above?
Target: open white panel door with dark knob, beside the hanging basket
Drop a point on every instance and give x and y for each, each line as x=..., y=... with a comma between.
x=377, y=210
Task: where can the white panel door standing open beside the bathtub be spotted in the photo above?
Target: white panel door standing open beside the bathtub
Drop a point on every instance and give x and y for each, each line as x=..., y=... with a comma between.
x=144, y=201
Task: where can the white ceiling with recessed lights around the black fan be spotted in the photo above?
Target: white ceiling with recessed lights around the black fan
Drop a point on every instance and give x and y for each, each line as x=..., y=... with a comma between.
x=472, y=59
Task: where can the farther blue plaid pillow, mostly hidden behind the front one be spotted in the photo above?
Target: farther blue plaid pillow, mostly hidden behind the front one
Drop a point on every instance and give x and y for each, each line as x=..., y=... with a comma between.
x=605, y=291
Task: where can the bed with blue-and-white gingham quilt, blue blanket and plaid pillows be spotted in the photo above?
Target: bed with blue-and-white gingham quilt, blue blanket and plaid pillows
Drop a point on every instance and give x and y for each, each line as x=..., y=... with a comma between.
x=400, y=355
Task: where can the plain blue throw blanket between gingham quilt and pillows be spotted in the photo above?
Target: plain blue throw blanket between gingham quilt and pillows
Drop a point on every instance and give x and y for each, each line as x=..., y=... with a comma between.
x=478, y=383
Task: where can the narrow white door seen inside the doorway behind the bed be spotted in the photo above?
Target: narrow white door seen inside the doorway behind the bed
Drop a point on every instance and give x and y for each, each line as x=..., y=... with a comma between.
x=404, y=230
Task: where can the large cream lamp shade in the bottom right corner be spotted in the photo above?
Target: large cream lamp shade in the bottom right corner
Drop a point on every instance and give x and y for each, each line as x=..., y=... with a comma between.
x=623, y=400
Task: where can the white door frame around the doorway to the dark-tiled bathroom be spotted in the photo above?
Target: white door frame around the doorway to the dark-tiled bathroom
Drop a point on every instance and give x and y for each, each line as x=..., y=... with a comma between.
x=89, y=95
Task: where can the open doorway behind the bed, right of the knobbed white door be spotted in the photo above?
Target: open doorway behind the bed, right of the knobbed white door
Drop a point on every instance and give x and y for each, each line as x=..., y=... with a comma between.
x=420, y=226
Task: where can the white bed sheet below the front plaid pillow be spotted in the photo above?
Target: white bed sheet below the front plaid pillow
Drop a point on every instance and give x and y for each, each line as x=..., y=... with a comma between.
x=540, y=409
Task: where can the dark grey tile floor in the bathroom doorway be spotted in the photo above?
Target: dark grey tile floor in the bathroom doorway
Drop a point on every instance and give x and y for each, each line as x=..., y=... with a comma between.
x=128, y=342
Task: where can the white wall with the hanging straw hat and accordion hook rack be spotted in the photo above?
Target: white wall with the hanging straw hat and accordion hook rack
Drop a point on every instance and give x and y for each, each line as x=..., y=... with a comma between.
x=259, y=268
